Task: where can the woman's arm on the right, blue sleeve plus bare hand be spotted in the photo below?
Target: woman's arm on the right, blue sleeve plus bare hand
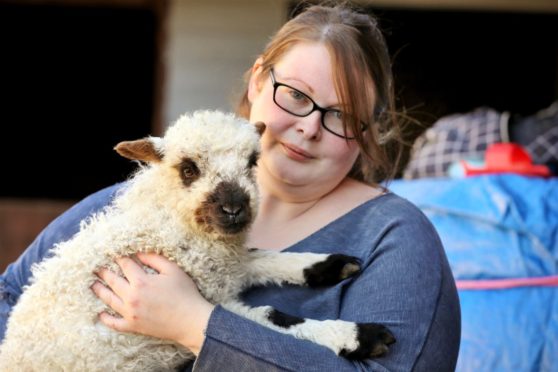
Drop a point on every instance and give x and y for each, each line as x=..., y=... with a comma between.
x=401, y=287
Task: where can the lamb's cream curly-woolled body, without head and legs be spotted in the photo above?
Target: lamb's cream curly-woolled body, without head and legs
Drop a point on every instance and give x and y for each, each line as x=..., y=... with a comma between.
x=78, y=331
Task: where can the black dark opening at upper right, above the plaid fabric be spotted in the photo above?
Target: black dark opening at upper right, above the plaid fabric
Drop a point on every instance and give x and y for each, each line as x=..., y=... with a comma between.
x=448, y=62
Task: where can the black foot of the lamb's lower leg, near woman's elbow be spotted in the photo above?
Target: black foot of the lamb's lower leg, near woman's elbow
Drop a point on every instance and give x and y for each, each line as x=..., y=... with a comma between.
x=373, y=341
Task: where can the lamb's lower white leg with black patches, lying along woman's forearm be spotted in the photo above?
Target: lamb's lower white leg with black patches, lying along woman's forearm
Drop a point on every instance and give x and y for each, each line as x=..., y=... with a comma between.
x=351, y=340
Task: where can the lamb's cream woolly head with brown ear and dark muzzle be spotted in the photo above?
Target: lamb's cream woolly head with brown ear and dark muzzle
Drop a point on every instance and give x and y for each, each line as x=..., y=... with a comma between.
x=204, y=168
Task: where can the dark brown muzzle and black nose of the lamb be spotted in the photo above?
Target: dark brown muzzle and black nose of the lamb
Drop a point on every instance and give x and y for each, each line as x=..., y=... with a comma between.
x=226, y=209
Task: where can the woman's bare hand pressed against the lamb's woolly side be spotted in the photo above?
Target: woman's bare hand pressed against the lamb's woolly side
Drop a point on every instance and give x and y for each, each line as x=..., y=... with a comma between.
x=166, y=305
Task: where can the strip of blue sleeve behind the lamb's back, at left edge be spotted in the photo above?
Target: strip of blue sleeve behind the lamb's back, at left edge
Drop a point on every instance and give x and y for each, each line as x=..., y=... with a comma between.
x=17, y=274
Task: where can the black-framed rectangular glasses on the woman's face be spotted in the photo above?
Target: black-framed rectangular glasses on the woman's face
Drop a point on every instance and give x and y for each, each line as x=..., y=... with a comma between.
x=299, y=104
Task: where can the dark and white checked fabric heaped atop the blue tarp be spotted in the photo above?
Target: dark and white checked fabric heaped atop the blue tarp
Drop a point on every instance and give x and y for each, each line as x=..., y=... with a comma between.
x=467, y=136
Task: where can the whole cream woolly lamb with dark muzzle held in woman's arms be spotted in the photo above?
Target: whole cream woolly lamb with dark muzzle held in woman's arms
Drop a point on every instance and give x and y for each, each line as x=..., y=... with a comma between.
x=193, y=202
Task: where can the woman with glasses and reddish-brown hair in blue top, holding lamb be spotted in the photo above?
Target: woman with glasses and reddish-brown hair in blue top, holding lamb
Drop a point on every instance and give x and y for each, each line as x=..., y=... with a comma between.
x=323, y=88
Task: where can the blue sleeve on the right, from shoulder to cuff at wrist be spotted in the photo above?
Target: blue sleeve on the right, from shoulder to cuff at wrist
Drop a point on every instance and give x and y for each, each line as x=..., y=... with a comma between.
x=404, y=282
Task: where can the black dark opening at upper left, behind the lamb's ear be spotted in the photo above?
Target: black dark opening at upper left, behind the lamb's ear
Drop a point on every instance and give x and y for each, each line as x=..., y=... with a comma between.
x=74, y=81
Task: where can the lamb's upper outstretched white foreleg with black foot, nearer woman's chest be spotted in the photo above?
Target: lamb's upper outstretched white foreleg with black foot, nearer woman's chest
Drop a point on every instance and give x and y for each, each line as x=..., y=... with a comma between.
x=312, y=269
